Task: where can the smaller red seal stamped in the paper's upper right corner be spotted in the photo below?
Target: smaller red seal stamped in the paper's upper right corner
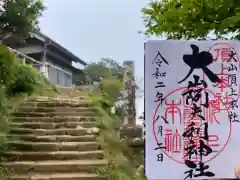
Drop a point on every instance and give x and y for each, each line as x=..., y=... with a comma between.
x=226, y=66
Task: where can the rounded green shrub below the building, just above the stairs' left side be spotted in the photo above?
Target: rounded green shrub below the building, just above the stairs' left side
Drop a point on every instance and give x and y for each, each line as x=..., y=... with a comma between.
x=26, y=80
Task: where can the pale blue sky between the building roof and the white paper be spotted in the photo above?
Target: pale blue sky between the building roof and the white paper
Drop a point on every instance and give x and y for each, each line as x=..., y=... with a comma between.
x=96, y=29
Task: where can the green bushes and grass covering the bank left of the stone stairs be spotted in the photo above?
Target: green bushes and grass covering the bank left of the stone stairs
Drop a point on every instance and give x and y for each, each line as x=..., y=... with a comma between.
x=15, y=78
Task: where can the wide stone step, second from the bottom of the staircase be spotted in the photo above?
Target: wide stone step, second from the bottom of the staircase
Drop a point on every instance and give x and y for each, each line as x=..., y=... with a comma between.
x=72, y=166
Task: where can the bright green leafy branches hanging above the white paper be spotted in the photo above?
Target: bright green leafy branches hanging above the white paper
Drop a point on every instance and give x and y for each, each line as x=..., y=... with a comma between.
x=186, y=19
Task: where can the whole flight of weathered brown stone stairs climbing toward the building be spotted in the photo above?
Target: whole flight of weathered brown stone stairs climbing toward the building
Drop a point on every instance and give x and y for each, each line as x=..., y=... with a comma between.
x=54, y=139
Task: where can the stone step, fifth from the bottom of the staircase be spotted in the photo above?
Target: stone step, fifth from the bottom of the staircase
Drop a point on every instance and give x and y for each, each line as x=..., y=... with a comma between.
x=50, y=138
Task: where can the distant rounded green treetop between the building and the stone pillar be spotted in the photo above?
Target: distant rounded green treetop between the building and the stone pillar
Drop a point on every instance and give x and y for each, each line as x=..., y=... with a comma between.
x=104, y=68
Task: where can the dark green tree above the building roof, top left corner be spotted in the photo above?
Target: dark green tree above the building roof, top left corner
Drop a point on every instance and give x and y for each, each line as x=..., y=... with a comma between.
x=19, y=18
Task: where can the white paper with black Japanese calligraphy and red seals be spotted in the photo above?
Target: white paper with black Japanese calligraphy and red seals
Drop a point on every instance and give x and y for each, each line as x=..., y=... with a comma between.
x=224, y=136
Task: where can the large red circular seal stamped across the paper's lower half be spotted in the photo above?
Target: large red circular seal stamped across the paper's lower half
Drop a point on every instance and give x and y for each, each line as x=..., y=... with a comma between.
x=173, y=116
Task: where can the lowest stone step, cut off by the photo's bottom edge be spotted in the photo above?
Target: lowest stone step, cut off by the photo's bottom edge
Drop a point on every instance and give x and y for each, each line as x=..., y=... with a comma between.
x=58, y=176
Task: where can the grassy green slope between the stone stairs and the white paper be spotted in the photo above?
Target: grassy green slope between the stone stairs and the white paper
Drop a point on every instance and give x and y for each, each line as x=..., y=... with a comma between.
x=123, y=163
